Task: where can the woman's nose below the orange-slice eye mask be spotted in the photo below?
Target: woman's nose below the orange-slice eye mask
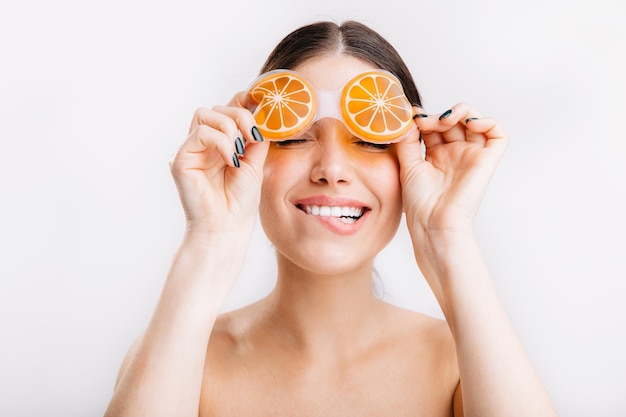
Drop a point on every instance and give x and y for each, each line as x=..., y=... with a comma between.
x=332, y=163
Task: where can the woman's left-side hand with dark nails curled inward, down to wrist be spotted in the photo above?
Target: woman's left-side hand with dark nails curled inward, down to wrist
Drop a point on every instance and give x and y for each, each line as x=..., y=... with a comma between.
x=219, y=183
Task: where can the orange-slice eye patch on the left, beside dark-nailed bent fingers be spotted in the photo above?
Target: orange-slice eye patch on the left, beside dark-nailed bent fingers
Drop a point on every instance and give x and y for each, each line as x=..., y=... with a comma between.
x=285, y=104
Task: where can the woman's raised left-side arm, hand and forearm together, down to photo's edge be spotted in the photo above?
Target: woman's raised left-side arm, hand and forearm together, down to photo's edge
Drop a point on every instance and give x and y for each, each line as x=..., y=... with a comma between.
x=162, y=373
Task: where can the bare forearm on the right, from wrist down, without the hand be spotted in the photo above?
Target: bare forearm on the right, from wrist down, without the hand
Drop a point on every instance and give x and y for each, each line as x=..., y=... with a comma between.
x=497, y=376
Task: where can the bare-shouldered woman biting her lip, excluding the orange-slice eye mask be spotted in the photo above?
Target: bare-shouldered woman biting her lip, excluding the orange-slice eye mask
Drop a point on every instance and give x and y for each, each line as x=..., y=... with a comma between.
x=321, y=343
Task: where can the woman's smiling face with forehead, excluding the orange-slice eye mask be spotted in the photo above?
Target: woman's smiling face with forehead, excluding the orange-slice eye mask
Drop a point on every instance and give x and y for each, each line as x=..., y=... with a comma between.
x=330, y=202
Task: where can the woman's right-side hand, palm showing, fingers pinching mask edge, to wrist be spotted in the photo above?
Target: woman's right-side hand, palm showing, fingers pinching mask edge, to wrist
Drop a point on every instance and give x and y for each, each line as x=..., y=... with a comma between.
x=443, y=190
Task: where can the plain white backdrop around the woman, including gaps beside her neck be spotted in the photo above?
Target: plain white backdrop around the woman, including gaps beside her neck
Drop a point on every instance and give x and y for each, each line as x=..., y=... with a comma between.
x=96, y=96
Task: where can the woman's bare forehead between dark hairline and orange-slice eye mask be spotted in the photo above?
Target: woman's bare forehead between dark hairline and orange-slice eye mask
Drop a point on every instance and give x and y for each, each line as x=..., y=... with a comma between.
x=330, y=72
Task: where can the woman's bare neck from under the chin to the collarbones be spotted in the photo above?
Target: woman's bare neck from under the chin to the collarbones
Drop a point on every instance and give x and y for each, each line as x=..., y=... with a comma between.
x=323, y=313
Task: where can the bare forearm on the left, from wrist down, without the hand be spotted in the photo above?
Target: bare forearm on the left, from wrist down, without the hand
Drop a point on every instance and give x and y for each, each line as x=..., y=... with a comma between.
x=162, y=374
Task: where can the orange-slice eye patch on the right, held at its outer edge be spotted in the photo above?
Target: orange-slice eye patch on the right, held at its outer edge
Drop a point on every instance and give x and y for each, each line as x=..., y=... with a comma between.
x=374, y=106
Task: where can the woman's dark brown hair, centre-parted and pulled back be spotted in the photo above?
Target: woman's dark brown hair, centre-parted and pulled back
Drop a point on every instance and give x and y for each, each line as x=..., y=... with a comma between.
x=350, y=38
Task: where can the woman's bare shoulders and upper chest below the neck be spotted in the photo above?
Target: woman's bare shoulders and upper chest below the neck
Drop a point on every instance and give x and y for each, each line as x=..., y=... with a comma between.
x=409, y=363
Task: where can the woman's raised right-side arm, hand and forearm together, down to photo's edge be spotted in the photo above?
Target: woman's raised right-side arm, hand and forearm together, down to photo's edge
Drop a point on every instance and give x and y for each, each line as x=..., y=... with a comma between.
x=442, y=194
